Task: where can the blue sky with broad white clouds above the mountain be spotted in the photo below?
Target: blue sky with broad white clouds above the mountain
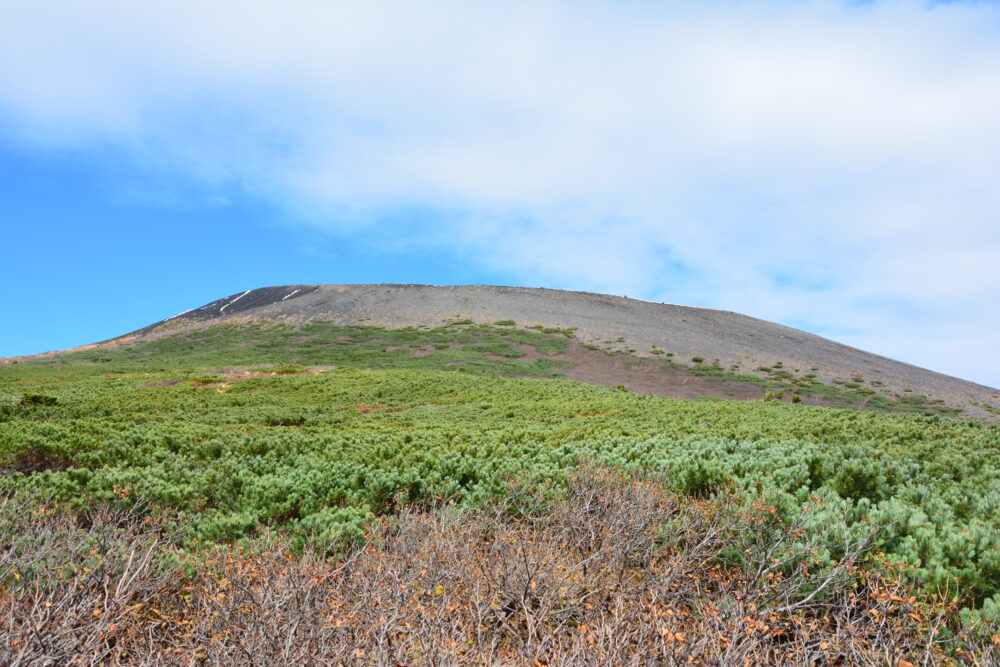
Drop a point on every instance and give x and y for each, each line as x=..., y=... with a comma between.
x=827, y=165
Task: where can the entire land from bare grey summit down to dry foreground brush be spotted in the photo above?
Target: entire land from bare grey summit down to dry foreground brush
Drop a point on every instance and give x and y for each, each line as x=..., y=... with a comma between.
x=292, y=458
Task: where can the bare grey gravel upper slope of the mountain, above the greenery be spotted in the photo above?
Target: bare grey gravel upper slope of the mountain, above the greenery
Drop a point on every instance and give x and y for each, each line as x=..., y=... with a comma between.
x=733, y=341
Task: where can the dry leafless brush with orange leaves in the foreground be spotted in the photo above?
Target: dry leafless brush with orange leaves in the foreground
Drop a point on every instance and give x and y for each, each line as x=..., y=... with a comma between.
x=619, y=572
